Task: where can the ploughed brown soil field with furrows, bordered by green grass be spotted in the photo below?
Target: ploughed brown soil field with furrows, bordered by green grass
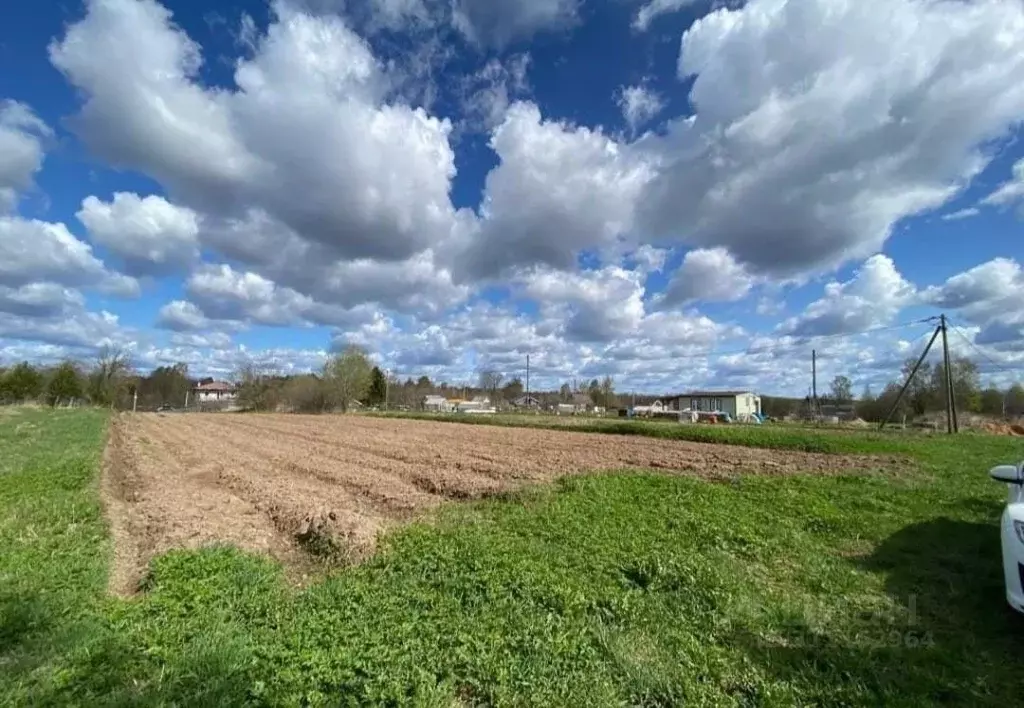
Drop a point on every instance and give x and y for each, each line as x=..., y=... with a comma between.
x=285, y=485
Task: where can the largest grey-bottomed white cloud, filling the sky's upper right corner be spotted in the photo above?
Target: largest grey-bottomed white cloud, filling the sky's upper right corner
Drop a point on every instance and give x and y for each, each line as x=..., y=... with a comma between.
x=821, y=124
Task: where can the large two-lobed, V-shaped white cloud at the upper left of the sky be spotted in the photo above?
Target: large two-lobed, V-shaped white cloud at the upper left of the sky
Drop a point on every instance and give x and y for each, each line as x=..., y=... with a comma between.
x=308, y=137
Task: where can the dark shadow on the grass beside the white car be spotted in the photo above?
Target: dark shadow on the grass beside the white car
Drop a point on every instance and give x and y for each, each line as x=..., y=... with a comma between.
x=946, y=637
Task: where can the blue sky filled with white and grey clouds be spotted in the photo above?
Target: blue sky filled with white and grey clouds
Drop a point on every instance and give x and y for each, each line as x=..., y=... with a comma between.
x=677, y=193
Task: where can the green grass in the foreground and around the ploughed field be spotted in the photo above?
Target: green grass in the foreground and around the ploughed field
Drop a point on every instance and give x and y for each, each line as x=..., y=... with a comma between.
x=620, y=590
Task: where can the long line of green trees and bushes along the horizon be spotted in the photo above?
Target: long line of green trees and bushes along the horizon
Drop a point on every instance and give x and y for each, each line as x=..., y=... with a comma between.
x=351, y=379
